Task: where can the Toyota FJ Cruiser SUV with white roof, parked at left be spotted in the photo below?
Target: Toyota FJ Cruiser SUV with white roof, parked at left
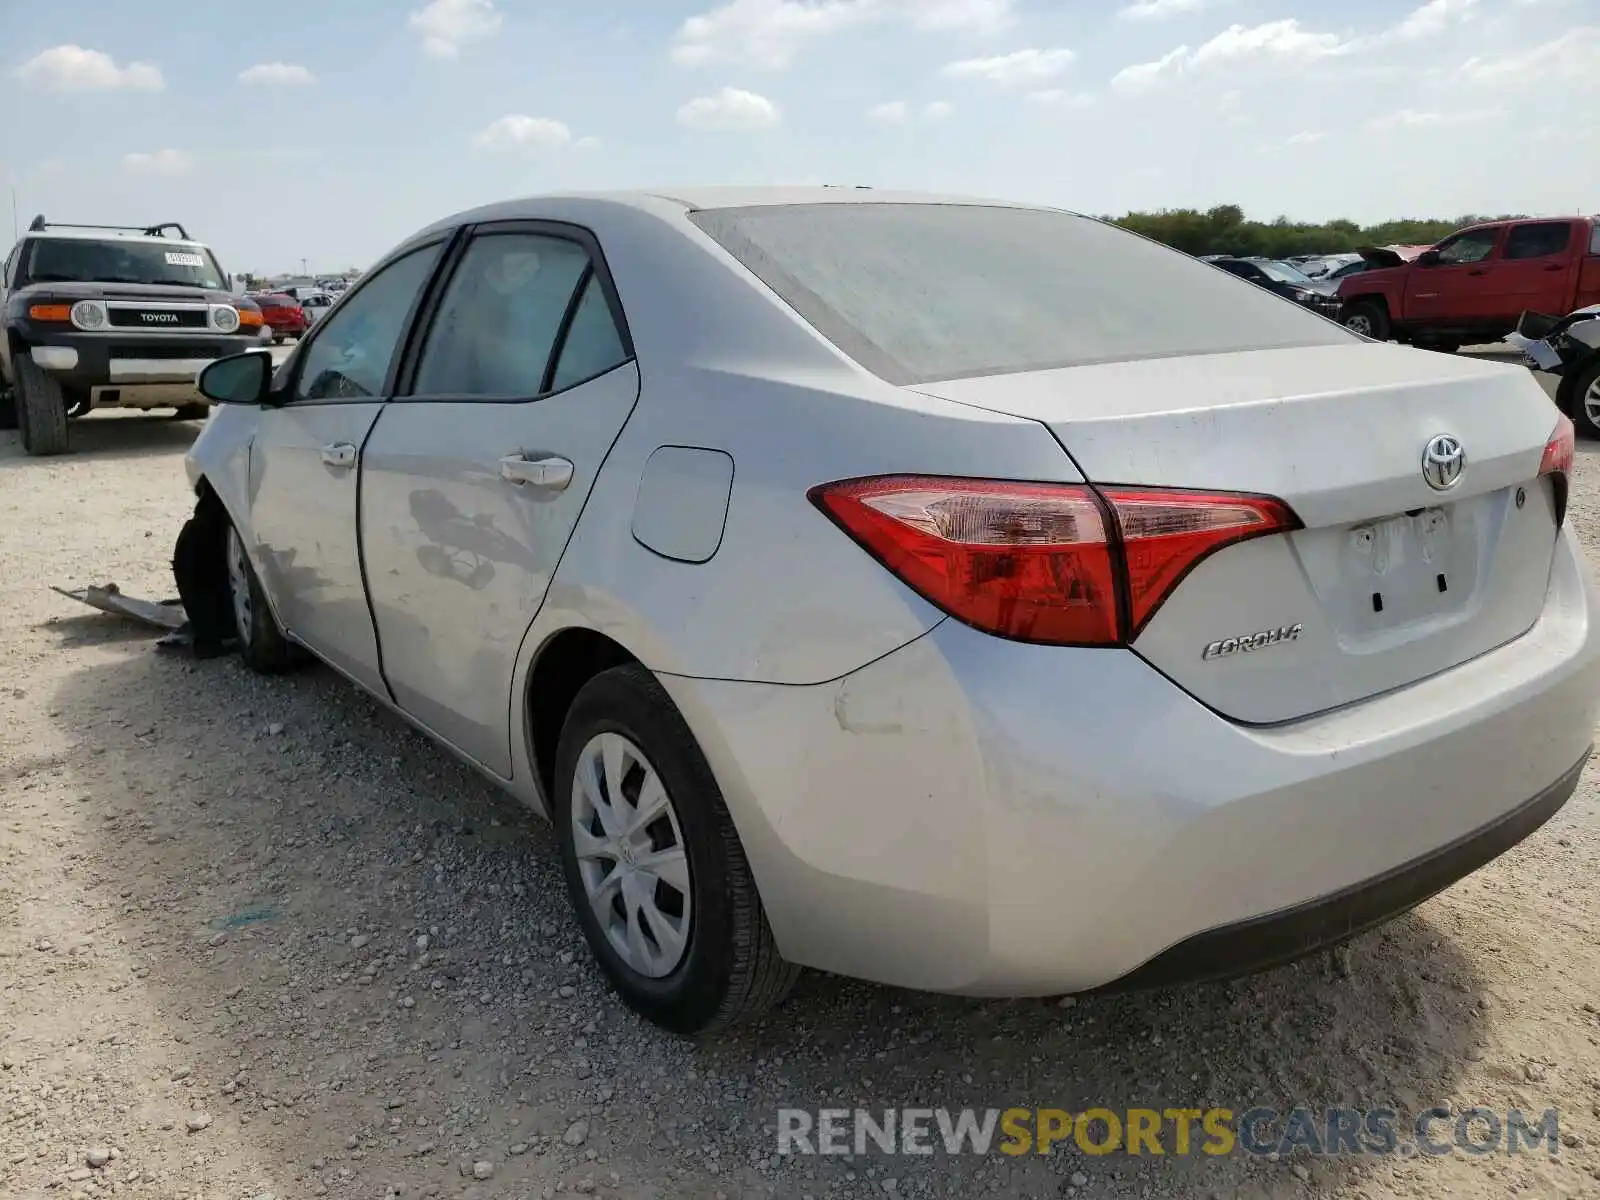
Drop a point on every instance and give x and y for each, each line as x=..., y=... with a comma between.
x=111, y=318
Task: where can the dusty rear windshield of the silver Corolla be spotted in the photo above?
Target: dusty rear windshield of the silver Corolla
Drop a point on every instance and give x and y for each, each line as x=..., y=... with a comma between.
x=943, y=292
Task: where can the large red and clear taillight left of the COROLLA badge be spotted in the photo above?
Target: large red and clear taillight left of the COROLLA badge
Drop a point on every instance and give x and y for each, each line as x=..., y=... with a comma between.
x=1062, y=564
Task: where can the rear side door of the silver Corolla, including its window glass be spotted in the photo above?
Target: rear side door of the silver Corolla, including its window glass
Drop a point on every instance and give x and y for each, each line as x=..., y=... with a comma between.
x=473, y=484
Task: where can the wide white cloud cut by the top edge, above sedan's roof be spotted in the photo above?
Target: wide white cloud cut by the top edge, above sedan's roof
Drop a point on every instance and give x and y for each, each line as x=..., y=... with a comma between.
x=770, y=34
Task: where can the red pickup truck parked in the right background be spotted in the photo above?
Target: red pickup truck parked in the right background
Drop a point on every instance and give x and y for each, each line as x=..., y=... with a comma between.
x=1476, y=284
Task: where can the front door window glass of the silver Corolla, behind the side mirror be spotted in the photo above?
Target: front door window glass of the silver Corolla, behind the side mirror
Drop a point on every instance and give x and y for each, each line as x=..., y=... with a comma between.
x=351, y=356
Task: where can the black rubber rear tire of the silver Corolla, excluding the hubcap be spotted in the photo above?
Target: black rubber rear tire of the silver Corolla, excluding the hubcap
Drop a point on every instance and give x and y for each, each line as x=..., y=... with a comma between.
x=730, y=970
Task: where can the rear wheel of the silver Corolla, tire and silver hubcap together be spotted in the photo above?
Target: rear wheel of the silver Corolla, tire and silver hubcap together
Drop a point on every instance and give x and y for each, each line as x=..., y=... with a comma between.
x=654, y=866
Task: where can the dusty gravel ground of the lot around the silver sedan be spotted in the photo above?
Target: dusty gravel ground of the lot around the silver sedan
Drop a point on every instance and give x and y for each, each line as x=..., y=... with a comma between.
x=258, y=938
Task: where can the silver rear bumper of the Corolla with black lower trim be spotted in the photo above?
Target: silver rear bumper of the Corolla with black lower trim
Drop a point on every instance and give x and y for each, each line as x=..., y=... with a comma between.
x=982, y=817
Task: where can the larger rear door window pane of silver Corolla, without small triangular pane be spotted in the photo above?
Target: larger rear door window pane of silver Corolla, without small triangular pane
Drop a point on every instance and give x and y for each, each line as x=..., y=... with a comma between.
x=502, y=316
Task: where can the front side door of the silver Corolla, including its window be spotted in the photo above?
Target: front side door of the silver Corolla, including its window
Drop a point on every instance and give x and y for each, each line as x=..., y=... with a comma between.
x=305, y=468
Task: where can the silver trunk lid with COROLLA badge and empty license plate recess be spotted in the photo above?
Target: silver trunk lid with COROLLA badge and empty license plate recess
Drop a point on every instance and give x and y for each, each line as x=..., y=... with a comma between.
x=1391, y=580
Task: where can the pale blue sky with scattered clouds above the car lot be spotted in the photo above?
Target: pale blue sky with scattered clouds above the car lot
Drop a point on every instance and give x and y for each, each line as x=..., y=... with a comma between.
x=330, y=130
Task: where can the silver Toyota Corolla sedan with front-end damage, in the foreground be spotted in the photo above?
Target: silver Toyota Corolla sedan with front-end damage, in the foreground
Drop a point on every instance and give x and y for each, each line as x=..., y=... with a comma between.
x=946, y=593
